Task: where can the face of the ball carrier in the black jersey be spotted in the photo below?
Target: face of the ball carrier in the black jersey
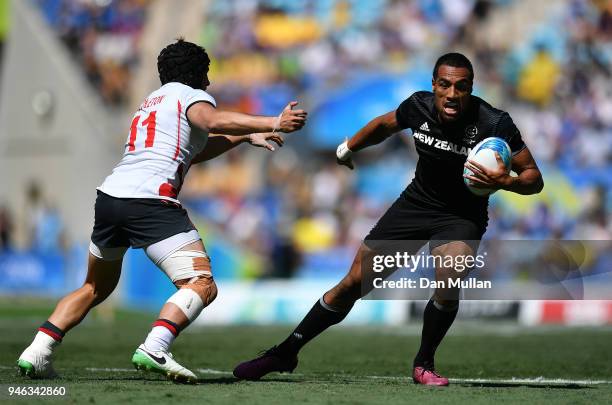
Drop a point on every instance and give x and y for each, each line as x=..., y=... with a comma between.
x=452, y=88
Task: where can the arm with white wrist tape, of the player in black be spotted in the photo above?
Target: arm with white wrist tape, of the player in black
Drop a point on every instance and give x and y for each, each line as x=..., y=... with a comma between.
x=373, y=133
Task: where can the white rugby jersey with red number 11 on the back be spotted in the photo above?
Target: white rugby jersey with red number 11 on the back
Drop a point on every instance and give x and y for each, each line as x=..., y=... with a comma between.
x=160, y=146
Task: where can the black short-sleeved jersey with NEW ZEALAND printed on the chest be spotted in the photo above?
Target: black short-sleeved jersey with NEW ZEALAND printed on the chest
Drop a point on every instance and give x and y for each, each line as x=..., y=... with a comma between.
x=443, y=149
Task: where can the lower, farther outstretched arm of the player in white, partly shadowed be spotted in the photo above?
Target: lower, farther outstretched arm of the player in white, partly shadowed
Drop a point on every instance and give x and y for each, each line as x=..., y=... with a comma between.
x=219, y=144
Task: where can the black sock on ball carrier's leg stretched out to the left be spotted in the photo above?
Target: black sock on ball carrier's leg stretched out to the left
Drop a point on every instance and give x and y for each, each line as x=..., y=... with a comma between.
x=316, y=321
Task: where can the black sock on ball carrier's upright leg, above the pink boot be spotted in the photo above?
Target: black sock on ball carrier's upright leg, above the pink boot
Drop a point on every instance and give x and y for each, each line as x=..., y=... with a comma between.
x=436, y=323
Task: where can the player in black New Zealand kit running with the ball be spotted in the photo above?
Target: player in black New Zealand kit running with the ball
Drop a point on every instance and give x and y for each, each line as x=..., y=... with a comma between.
x=435, y=207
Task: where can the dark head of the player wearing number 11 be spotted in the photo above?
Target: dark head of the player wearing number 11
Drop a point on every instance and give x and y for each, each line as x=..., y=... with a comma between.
x=183, y=62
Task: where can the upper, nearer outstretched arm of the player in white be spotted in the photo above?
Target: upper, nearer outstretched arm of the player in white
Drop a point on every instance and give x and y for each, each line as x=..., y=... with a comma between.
x=207, y=117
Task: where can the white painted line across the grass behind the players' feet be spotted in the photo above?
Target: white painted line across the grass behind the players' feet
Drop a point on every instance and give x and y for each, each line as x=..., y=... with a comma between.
x=513, y=380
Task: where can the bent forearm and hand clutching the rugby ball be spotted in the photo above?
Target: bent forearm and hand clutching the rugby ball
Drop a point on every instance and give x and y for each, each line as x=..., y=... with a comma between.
x=528, y=181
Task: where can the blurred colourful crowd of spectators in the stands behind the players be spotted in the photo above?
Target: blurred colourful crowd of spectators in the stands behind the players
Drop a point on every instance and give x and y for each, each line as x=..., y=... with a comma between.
x=297, y=207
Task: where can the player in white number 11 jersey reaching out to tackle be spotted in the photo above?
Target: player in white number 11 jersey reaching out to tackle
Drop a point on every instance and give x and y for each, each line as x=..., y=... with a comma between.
x=137, y=206
